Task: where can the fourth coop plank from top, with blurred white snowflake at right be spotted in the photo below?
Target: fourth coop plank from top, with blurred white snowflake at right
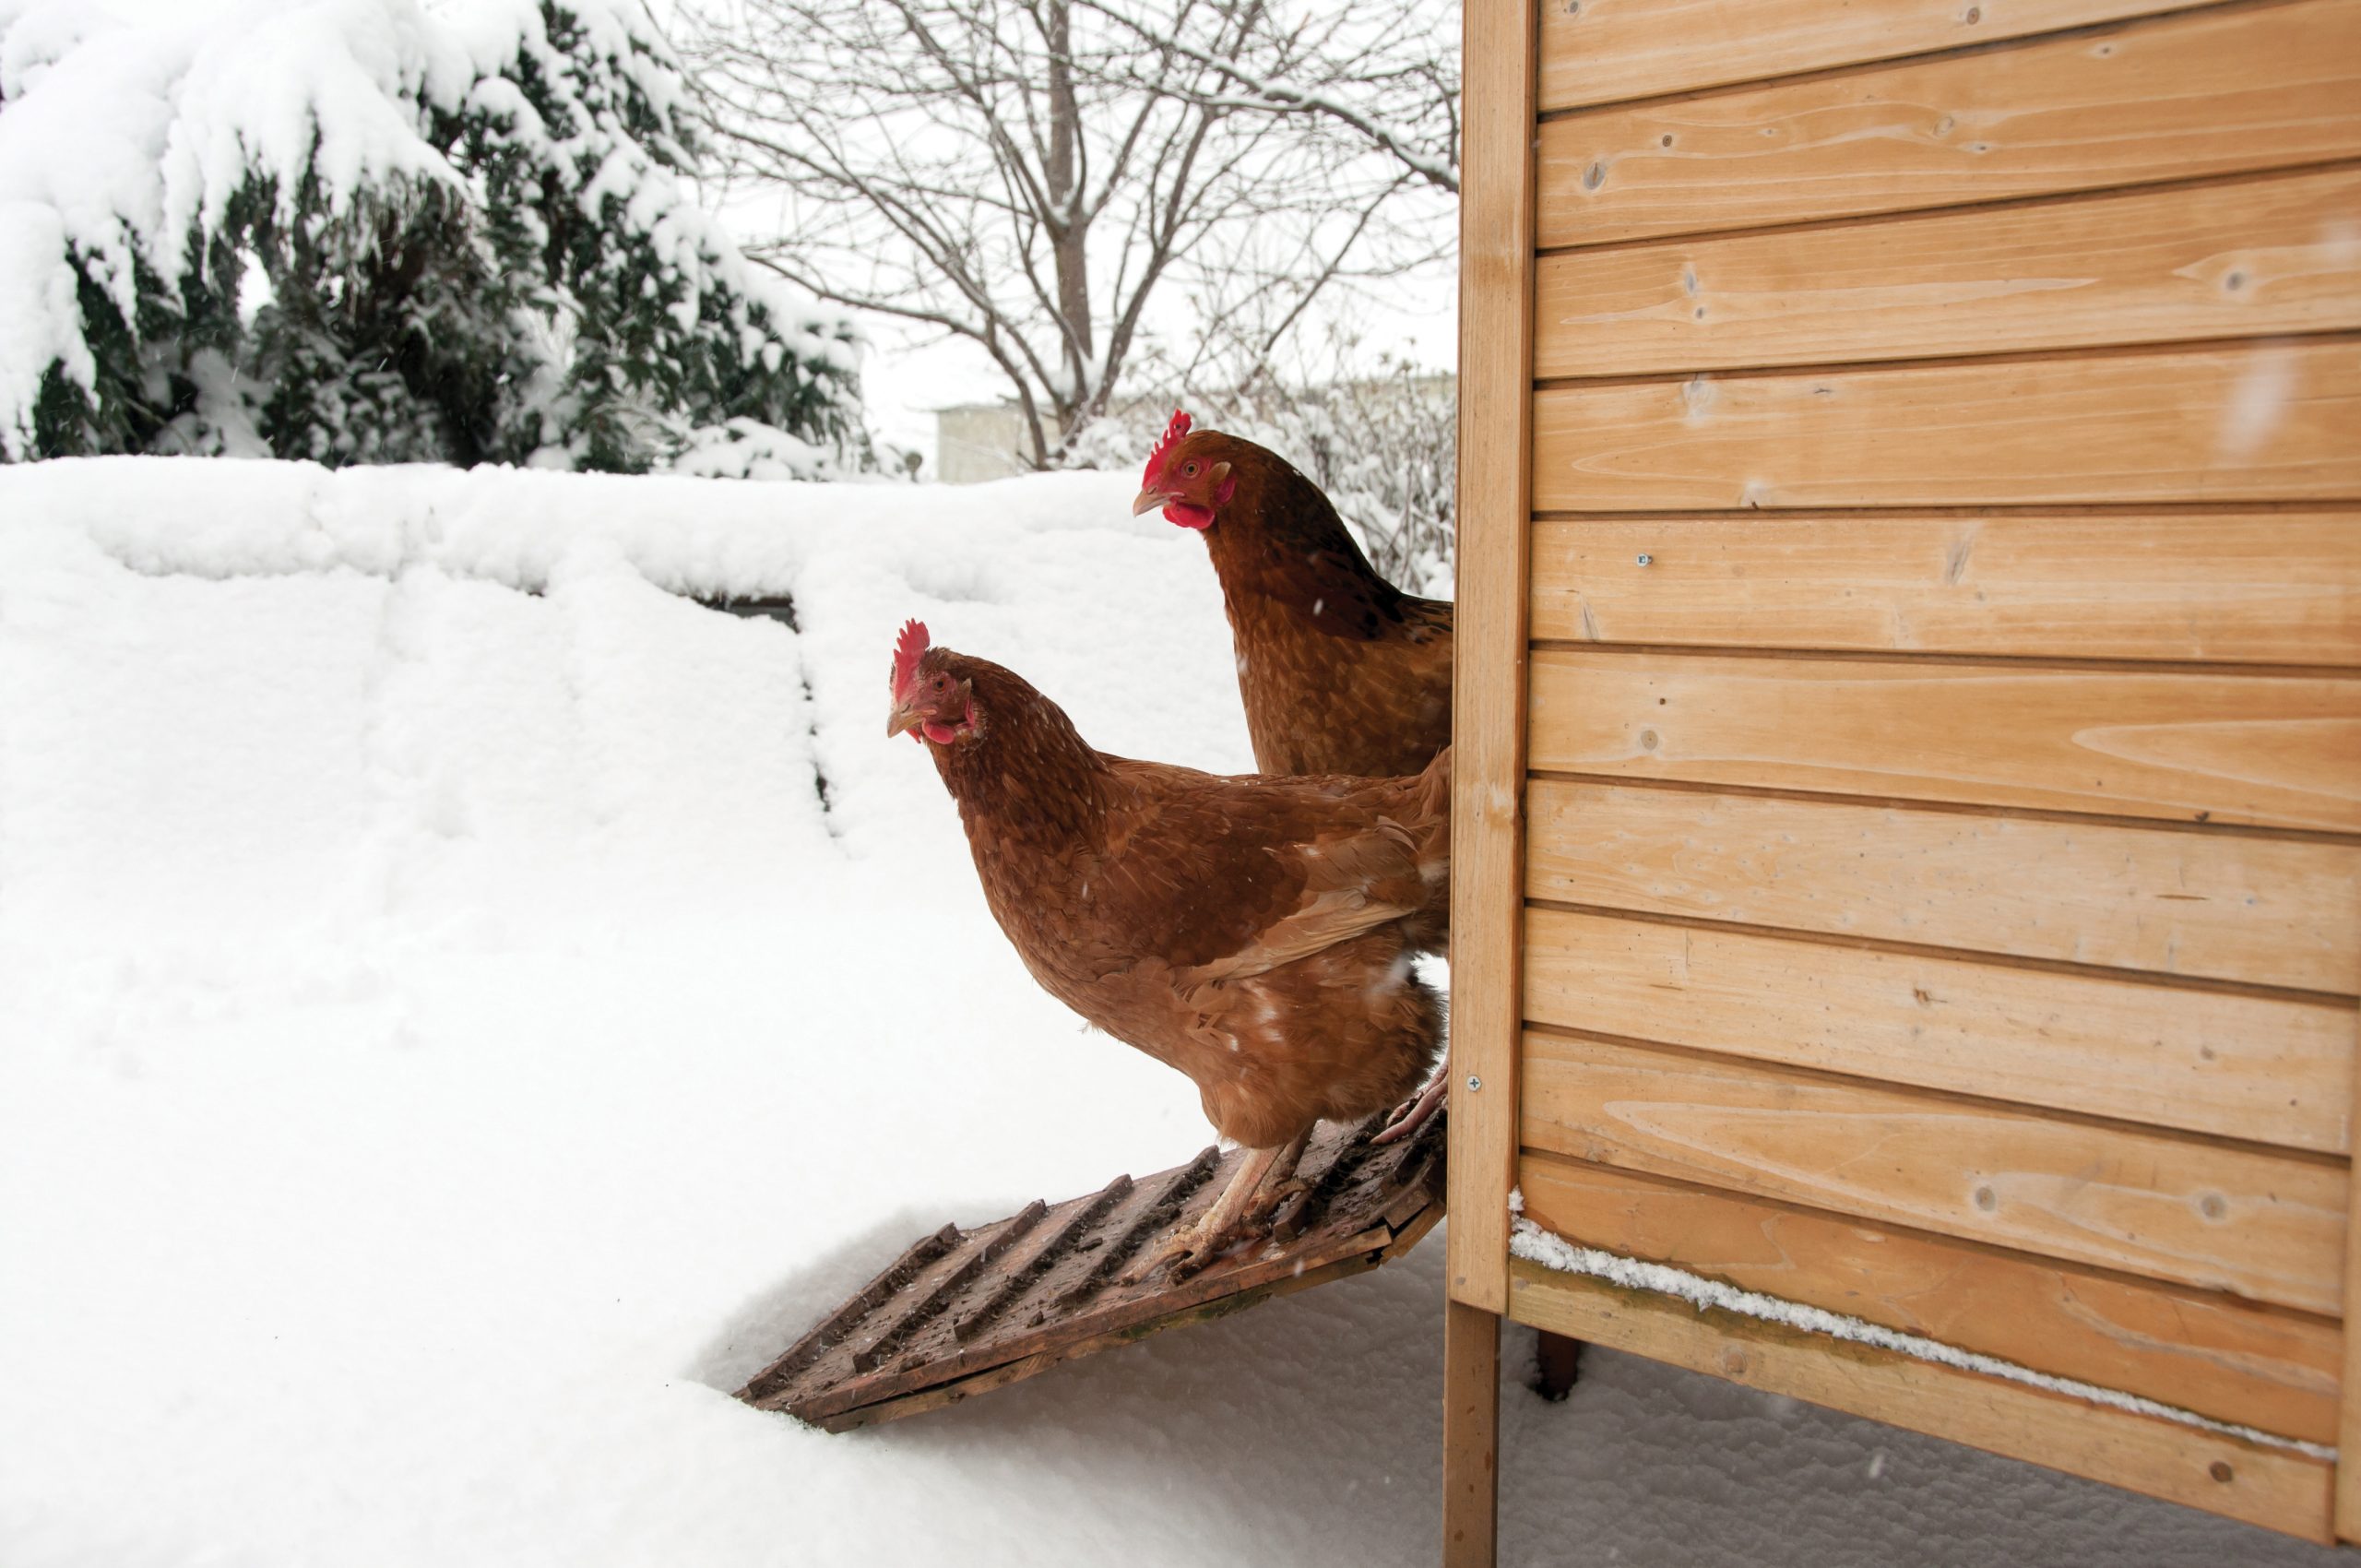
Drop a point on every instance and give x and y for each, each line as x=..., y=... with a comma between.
x=2263, y=422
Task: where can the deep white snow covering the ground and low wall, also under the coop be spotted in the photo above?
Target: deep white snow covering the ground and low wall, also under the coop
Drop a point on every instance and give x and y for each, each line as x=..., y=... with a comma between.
x=447, y=1040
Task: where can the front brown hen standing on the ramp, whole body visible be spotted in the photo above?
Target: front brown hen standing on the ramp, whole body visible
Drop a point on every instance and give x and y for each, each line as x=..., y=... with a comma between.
x=1257, y=934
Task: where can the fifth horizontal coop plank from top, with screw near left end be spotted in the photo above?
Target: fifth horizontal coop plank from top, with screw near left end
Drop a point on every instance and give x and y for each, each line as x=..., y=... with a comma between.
x=2244, y=587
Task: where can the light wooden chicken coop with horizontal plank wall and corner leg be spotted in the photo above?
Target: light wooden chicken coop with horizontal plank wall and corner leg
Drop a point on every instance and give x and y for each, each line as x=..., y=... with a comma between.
x=1909, y=724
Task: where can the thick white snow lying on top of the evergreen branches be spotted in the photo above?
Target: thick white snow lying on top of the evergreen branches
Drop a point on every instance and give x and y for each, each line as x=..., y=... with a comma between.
x=133, y=126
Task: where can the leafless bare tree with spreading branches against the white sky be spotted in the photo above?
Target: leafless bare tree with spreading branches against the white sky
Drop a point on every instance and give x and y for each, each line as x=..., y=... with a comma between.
x=1033, y=176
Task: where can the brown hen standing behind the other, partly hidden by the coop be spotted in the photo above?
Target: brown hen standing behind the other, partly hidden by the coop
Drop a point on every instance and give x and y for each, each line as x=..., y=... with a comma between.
x=1342, y=672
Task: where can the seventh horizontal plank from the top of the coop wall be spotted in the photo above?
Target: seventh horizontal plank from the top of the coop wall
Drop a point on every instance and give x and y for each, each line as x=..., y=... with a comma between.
x=2209, y=906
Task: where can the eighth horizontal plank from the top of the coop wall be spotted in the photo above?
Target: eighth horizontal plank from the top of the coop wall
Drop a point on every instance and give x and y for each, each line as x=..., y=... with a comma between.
x=2197, y=1061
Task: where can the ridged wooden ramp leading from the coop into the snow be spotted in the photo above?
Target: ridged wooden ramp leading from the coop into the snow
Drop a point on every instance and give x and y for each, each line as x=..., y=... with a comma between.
x=967, y=1312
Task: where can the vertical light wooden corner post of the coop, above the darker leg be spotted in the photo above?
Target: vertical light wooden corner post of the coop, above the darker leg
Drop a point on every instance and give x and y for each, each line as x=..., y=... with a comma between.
x=1489, y=681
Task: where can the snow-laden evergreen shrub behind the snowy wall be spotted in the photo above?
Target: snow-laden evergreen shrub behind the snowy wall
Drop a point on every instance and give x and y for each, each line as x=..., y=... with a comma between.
x=379, y=233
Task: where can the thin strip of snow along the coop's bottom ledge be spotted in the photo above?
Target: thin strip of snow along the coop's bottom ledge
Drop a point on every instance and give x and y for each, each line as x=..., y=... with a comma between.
x=1550, y=1250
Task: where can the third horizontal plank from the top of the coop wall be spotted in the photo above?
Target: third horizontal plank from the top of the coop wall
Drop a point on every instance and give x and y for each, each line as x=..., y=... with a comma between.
x=2246, y=259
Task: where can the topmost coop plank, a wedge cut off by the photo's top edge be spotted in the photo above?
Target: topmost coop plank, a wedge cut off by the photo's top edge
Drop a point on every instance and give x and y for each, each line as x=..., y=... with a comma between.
x=1607, y=51
